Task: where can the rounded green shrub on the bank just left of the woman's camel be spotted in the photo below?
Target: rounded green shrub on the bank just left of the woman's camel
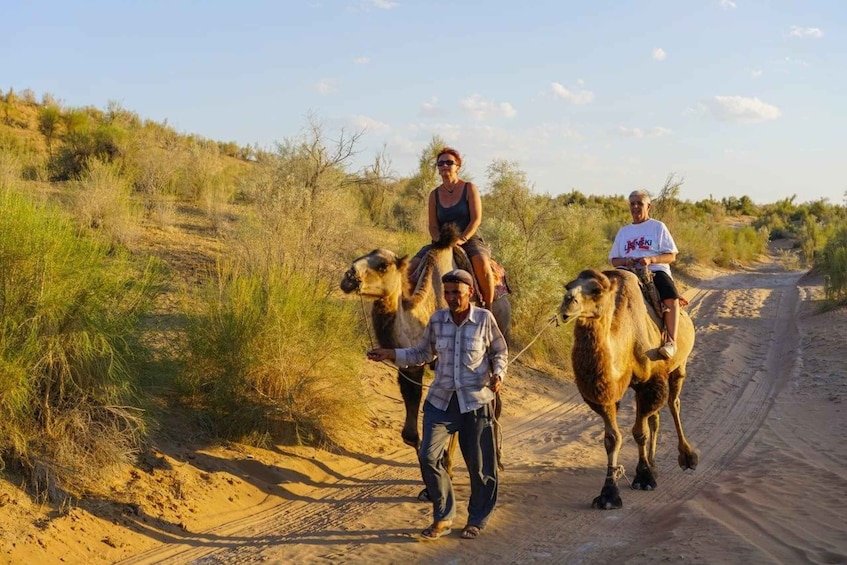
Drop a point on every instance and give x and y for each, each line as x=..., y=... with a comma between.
x=260, y=360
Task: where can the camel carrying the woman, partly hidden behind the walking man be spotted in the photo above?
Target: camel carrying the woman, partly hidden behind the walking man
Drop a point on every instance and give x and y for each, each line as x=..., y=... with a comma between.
x=400, y=313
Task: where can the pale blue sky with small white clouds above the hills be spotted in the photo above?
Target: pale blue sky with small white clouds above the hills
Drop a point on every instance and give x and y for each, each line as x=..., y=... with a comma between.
x=738, y=97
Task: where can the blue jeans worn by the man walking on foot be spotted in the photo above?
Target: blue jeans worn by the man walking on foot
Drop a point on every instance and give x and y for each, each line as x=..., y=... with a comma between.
x=477, y=442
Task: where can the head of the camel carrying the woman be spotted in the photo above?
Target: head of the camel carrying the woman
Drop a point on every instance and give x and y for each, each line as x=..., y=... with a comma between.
x=376, y=275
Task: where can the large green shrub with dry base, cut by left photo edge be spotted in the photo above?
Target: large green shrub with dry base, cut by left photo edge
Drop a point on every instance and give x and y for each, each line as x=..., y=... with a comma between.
x=69, y=312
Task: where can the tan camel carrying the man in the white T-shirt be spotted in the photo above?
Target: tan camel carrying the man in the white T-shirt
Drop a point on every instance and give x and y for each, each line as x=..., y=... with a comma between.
x=616, y=344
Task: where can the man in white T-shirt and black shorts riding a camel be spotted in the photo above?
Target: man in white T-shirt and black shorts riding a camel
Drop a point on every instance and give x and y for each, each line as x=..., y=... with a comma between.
x=648, y=243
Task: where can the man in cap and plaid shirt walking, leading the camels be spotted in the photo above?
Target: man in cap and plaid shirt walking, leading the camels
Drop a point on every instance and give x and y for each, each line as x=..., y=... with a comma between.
x=471, y=358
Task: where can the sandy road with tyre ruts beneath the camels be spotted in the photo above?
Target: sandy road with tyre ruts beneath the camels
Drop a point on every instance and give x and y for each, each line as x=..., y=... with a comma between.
x=752, y=331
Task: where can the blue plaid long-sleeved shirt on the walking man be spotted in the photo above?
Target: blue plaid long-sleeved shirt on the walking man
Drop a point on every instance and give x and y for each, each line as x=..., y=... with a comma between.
x=466, y=356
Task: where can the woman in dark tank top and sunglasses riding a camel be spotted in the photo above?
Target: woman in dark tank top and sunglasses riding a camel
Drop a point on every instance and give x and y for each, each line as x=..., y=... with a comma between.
x=458, y=201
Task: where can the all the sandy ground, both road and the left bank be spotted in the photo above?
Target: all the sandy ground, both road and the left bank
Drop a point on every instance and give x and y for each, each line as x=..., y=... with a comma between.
x=763, y=404
